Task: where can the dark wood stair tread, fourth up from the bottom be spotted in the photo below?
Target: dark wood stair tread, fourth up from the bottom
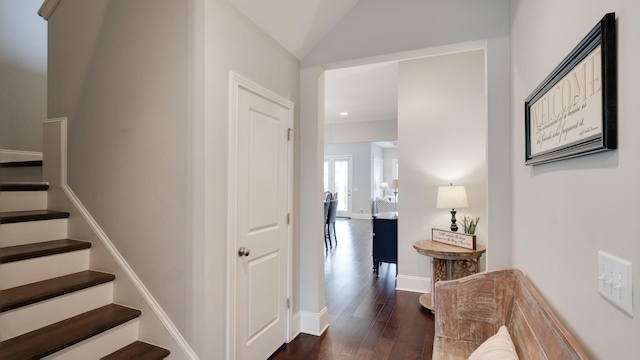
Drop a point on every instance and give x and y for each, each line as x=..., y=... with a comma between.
x=45, y=248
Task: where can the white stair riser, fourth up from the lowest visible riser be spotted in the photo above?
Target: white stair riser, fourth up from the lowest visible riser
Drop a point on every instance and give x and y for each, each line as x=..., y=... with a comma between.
x=32, y=231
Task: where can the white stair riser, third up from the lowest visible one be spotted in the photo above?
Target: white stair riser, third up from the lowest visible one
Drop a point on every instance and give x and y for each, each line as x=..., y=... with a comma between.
x=27, y=271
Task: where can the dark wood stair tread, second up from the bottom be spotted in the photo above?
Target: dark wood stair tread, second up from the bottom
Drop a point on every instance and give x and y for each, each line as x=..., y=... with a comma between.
x=49, y=339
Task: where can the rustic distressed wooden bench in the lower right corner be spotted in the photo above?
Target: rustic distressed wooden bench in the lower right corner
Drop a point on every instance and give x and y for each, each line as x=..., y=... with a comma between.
x=471, y=309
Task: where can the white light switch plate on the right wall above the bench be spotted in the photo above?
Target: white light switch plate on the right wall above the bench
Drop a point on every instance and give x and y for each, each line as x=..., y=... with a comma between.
x=614, y=281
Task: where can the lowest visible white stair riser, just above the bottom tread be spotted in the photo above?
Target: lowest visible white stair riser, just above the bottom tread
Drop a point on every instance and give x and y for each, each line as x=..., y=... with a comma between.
x=100, y=345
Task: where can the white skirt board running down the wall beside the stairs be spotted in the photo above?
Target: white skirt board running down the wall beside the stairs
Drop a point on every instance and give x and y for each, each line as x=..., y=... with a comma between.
x=155, y=325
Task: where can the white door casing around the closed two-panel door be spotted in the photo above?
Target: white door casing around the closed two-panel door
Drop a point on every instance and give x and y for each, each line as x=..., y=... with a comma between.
x=236, y=82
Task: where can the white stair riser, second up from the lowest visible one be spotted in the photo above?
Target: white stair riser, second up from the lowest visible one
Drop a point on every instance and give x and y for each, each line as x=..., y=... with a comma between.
x=28, y=318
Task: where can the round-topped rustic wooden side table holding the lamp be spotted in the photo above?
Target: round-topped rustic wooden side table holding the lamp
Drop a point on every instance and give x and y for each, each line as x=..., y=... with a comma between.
x=448, y=263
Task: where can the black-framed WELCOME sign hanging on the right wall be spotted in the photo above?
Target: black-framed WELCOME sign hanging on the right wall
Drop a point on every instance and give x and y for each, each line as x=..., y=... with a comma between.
x=573, y=112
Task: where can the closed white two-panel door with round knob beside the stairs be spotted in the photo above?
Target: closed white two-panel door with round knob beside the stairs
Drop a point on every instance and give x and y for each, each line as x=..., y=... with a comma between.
x=261, y=225
